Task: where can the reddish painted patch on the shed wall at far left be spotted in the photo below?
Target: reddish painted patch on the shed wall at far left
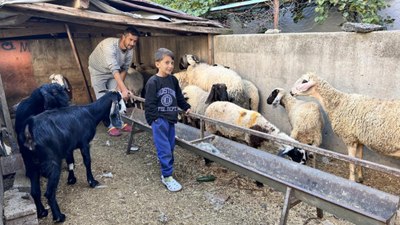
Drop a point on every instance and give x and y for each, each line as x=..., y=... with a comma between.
x=16, y=70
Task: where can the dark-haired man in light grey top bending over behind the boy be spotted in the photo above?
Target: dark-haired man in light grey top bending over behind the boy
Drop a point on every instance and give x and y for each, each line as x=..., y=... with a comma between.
x=108, y=64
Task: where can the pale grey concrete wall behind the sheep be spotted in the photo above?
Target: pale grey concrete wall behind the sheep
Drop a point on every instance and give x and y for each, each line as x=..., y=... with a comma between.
x=355, y=63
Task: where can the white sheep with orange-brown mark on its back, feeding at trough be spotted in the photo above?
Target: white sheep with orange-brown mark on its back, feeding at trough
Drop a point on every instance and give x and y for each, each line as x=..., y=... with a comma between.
x=233, y=114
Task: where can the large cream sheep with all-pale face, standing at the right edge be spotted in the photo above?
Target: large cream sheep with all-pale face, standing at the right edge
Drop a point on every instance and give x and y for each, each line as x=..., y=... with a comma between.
x=359, y=120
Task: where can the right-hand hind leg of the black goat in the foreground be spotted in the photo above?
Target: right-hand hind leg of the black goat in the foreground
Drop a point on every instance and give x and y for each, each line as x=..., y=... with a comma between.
x=52, y=183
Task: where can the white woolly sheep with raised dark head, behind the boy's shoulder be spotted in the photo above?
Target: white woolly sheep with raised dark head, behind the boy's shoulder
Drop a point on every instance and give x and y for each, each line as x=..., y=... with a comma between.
x=204, y=76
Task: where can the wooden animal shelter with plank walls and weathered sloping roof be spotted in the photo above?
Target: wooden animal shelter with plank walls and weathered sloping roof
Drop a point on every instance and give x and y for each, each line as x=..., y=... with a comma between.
x=39, y=38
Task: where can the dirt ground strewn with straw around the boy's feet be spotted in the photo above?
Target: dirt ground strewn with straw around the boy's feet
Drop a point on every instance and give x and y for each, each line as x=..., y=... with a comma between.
x=135, y=195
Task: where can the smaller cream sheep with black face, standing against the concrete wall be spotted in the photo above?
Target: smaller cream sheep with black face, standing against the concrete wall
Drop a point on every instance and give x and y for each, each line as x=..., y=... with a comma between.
x=304, y=117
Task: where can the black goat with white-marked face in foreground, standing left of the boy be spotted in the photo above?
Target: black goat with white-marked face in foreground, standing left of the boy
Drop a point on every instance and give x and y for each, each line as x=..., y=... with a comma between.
x=54, y=134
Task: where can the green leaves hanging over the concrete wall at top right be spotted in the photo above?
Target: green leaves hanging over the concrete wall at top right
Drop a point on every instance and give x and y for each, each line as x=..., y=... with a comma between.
x=365, y=11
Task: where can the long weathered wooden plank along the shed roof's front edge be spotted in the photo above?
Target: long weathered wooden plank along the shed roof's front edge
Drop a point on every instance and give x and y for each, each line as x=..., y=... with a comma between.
x=69, y=14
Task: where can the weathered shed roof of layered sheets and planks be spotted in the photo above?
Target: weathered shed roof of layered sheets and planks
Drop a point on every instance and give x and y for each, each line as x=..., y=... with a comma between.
x=119, y=13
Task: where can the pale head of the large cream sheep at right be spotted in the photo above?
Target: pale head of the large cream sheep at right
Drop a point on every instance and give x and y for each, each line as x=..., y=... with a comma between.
x=305, y=85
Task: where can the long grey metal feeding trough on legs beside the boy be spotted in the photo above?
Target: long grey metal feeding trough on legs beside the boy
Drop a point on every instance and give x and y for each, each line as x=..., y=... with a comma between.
x=354, y=202
